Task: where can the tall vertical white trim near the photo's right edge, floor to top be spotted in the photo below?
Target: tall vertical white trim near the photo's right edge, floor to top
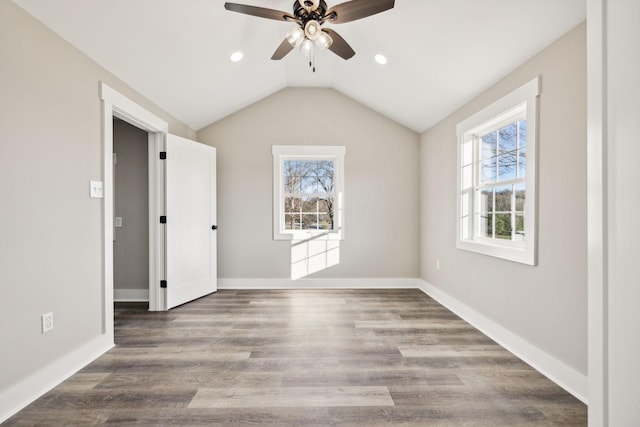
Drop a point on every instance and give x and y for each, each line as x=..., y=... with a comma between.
x=597, y=213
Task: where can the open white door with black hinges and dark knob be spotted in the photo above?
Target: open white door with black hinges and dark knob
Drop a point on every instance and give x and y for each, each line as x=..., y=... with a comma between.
x=191, y=220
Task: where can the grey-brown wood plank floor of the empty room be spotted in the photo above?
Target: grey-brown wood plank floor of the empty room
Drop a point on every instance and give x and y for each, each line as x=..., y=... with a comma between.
x=304, y=358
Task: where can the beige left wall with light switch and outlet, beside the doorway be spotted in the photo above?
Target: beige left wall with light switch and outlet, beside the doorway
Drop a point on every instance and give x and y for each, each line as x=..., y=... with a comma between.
x=51, y=249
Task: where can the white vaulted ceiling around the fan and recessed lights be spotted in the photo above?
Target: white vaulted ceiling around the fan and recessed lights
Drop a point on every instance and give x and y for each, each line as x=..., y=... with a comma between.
x=441, y=53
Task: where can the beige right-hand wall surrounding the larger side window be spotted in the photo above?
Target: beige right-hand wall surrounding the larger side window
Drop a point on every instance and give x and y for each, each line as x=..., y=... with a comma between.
x=545, y=305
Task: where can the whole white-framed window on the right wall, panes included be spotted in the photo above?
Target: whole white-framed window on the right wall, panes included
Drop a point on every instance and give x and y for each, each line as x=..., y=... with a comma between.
x=496, y=179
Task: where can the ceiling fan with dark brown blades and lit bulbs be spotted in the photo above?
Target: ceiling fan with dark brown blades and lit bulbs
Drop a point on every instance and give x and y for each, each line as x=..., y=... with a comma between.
x=309, y=16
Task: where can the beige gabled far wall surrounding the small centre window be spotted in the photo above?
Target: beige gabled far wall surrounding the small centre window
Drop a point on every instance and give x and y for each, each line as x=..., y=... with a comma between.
x=381, y=185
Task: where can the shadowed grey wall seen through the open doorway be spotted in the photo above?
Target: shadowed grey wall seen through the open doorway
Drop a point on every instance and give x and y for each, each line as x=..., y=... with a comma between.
x=131, y=200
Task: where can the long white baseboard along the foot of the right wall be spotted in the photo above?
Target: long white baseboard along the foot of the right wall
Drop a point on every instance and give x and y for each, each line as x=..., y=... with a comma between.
x=560, y=373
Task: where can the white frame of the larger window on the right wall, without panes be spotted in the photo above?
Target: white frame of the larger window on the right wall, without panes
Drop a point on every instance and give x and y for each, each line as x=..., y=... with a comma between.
x=522, y=102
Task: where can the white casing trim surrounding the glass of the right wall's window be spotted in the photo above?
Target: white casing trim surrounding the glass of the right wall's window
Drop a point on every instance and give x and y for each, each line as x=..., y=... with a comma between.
x=498, y=111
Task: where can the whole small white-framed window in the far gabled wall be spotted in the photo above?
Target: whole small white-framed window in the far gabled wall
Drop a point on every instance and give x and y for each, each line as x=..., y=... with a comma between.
x=308, y=191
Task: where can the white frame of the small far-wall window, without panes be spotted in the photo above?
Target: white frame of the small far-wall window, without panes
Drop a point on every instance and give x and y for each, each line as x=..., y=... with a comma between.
x=310, y=152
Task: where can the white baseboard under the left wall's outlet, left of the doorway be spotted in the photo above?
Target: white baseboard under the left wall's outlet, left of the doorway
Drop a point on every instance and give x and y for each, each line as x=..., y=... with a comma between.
x=16, y=397
